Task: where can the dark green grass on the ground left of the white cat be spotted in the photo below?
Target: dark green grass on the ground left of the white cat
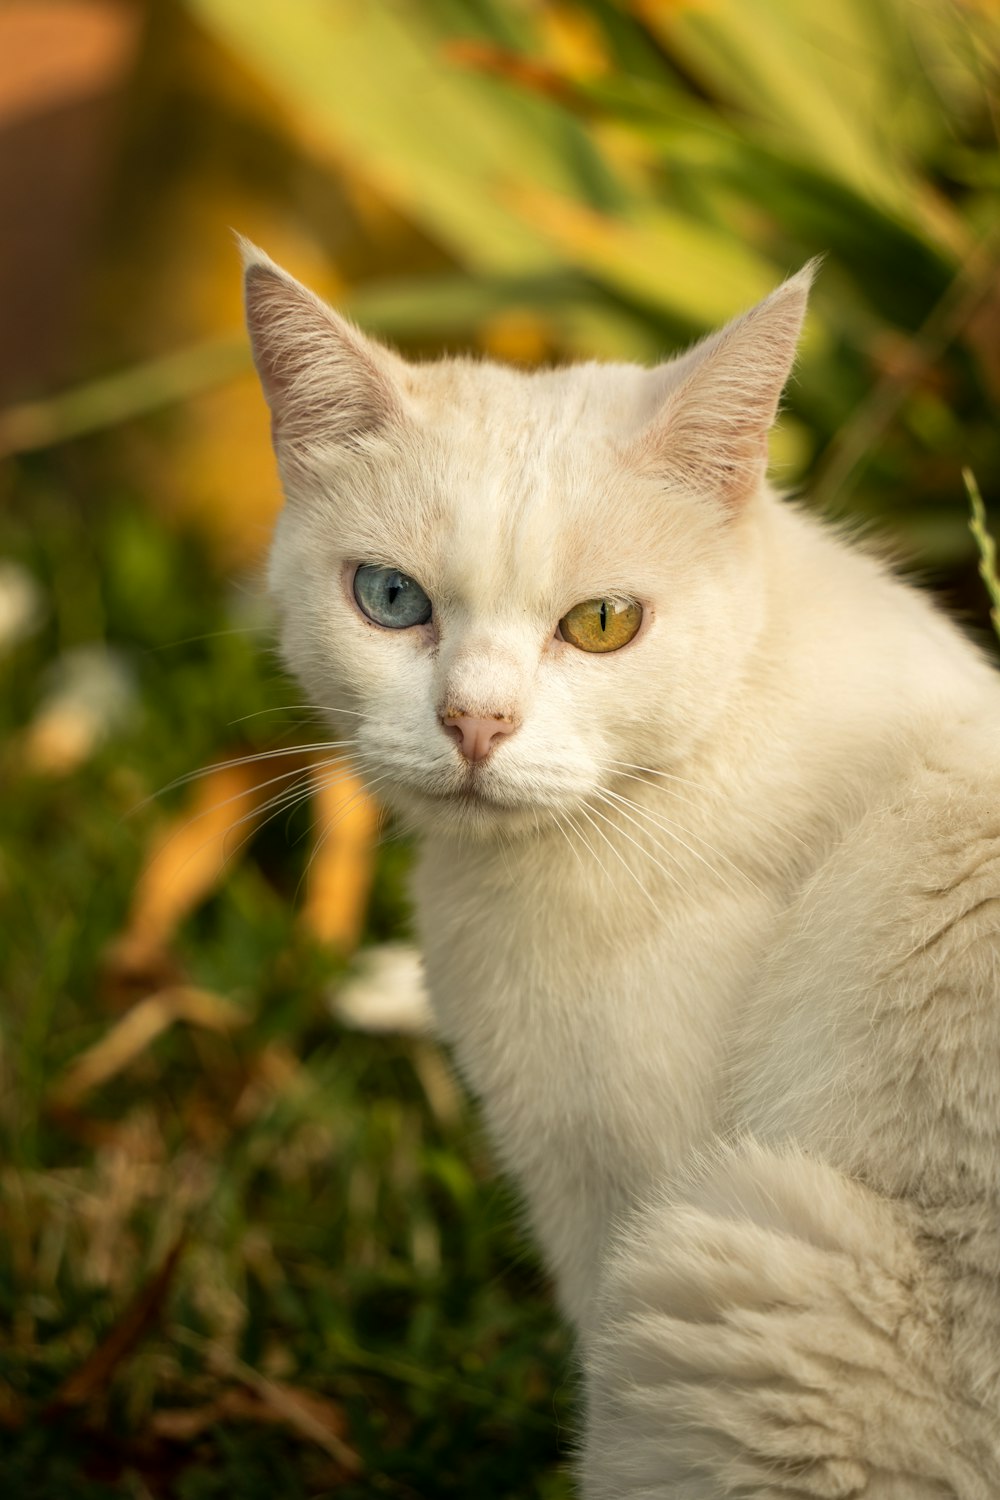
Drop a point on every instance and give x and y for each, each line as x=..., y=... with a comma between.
x=341, y=1228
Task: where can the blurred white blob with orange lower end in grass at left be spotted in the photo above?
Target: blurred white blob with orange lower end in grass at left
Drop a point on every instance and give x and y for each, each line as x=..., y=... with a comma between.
x=89, y=697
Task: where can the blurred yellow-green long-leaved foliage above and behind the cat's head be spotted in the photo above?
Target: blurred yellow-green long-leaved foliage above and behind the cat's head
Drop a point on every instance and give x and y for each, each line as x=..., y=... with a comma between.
x=563, y=178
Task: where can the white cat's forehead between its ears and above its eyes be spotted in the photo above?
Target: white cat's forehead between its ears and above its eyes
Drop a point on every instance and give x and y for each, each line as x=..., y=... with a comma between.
x=524, y=478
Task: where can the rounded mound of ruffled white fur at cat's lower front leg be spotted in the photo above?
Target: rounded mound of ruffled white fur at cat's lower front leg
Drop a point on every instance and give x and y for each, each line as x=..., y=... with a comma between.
x=773, y=1333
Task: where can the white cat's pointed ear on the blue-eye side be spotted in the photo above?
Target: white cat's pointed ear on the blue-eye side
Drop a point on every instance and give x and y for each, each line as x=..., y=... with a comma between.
x=325, y=382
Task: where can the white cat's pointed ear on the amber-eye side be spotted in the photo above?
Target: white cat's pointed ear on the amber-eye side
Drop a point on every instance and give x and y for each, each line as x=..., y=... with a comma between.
x=711, y=433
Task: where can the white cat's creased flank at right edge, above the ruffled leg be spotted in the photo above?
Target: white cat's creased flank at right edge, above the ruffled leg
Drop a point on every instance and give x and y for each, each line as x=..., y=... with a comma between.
x=876, y=1018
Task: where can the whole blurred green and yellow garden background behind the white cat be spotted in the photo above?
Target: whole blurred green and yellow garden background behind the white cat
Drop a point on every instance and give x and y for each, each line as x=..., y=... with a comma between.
x=245, y=1249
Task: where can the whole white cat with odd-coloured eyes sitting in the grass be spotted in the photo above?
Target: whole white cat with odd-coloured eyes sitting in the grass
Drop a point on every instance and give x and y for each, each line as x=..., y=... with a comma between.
x=708, y=892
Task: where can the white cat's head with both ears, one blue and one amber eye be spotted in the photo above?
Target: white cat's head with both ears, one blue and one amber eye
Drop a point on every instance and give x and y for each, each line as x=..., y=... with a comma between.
x=509, y=590
